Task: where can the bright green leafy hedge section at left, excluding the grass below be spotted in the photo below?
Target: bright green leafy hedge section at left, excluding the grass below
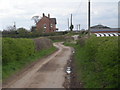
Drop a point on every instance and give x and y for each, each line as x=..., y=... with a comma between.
x=16, y=49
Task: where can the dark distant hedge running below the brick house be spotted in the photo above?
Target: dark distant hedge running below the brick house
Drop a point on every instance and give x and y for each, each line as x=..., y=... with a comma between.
x=28, y=34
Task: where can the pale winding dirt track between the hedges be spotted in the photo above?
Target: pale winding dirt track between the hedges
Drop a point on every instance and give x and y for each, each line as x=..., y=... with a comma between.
x=47, y=73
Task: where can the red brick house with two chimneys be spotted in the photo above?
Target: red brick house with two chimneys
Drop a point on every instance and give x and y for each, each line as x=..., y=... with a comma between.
x=46, y=24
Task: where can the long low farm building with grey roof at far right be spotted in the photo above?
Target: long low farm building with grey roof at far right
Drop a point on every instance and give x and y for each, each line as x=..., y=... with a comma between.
x=103, y=29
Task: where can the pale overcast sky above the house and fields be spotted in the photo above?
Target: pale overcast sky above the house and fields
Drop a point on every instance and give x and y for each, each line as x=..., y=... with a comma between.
x=21, y=11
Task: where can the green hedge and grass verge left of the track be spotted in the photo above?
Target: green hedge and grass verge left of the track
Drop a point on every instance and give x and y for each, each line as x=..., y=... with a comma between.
x=17, y=53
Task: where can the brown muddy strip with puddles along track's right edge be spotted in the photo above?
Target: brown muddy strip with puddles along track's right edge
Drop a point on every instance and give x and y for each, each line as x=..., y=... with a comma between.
x=71, y=80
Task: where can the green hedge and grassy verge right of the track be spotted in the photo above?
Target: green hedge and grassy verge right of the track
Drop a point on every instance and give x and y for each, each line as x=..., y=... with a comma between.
x=97, y=62
